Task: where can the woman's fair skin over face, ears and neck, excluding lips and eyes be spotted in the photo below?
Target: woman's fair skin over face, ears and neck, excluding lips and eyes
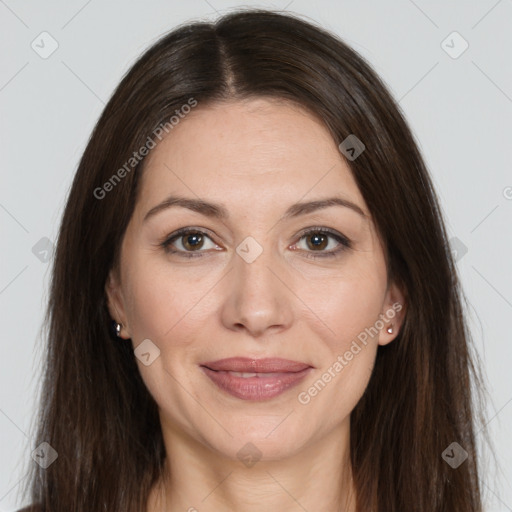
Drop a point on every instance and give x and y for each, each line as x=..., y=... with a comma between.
x=256, y=157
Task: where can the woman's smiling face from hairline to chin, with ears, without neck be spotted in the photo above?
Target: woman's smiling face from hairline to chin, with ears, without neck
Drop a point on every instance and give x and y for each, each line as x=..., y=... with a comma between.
x=257, y=284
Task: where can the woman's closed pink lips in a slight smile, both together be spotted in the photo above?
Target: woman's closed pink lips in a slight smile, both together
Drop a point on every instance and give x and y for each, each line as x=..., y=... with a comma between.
x=255, y=379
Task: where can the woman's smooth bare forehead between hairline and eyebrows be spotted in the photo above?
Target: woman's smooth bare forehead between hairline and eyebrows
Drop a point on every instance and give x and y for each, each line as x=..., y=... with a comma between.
x=246, y=151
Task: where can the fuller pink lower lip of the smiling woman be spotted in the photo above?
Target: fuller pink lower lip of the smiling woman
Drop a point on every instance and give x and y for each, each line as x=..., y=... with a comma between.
x=255, y=388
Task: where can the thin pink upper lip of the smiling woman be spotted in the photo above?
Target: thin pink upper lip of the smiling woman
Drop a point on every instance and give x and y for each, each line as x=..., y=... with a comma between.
x=252, y=365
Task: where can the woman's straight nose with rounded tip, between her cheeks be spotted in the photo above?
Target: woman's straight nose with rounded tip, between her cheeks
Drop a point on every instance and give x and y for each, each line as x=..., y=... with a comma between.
x=258, y=298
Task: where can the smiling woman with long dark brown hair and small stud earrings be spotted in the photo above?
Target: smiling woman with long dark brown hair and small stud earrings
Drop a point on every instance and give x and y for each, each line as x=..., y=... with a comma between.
x=254, y=219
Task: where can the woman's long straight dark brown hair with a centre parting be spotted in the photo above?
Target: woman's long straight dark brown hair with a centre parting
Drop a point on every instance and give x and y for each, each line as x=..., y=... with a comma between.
x=95, y=410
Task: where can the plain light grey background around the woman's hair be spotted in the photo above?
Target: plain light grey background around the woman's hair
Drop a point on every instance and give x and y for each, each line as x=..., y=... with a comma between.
x=458, y=108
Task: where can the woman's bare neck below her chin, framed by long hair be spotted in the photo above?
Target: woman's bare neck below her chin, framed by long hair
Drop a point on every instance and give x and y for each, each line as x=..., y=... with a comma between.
x=197, y=479
